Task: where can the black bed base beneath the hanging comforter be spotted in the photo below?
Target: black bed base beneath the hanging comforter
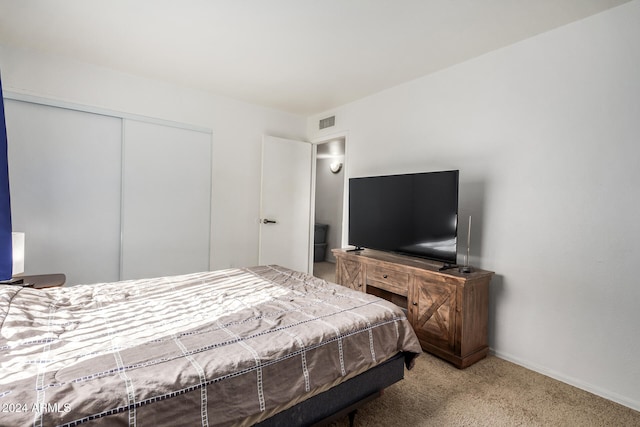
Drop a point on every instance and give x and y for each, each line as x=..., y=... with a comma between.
x=343, y=399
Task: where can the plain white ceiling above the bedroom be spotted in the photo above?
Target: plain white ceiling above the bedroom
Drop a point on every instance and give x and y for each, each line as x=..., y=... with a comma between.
x=300, y=56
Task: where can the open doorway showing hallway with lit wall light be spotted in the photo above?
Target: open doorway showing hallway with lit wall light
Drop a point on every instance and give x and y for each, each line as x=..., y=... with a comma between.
x=329, y=205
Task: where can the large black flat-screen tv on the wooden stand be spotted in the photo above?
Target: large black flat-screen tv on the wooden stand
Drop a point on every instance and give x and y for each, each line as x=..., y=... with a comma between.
x=414, y=214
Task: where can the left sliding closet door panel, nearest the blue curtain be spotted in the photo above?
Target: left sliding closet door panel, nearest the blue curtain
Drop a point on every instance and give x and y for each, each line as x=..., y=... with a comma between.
x=65, y=179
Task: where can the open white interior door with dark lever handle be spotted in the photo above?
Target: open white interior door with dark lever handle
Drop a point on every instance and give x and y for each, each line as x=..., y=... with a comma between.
x=285, y=205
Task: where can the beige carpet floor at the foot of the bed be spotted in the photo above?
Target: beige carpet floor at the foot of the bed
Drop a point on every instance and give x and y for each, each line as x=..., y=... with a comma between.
x=492, y=392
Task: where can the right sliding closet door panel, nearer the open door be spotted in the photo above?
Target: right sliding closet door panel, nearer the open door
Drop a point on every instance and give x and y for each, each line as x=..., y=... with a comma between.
x=166, y=200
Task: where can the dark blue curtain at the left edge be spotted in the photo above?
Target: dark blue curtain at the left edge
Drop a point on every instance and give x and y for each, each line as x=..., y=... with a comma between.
x=6, y=253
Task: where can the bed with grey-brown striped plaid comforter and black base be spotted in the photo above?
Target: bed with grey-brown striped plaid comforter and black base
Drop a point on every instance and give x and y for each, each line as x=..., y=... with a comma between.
x=263, y=345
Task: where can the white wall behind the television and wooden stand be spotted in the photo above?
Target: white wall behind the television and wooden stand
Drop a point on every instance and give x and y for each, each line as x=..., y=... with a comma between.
x=546, y=134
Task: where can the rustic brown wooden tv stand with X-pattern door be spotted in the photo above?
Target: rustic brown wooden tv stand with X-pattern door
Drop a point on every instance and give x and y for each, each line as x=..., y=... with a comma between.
x=447, y=309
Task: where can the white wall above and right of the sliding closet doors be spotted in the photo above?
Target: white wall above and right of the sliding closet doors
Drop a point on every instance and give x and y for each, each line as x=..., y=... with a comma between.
x=237, y=133
